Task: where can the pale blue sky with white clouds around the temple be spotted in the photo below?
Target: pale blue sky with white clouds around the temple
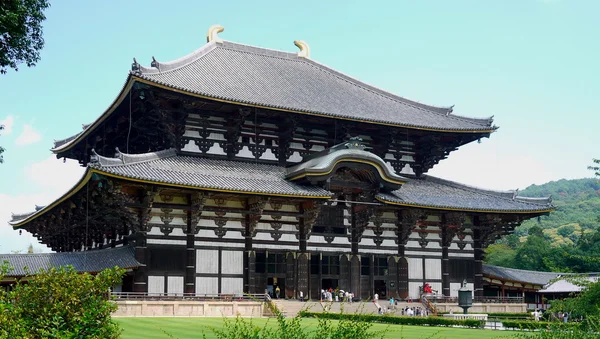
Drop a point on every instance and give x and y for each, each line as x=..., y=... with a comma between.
x=533, y=64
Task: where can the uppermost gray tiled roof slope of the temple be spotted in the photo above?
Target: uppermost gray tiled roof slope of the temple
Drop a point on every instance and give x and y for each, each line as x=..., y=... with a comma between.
x=282, y=80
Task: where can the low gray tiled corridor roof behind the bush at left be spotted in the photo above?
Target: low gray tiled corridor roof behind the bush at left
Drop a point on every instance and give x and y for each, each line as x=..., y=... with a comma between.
x=86, y=261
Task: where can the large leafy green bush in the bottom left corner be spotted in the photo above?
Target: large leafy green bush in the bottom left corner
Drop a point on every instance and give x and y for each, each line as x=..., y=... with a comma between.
x=60, y=303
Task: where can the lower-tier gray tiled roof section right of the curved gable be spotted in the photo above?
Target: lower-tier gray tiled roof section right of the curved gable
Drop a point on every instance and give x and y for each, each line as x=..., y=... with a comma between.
x=437, y=193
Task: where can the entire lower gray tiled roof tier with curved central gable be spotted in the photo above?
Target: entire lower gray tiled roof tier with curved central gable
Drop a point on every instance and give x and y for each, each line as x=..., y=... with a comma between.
x=169, y=169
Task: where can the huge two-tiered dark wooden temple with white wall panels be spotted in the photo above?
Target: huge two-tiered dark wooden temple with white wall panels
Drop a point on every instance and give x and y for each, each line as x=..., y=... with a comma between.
x=238, y=169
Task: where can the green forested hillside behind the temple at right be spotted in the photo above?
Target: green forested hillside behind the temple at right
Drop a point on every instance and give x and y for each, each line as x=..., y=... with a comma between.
x=568, y=240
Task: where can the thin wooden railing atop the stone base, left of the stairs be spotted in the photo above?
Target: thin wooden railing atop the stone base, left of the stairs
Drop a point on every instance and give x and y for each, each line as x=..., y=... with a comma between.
x=187, y=296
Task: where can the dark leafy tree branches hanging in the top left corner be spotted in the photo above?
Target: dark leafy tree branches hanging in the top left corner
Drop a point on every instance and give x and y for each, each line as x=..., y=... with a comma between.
x=21, y=32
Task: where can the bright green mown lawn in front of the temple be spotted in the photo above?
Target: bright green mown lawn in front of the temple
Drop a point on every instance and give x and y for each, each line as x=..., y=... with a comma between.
x=188, y=328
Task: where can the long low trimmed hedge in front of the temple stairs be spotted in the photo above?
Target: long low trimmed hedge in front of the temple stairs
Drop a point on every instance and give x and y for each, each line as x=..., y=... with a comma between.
x=387, y=319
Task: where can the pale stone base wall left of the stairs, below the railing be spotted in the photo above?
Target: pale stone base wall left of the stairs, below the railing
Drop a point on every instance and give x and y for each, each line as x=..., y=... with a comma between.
x=165, y=308
